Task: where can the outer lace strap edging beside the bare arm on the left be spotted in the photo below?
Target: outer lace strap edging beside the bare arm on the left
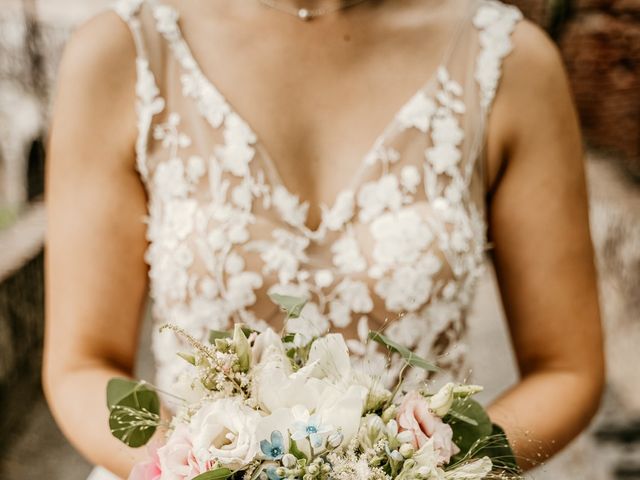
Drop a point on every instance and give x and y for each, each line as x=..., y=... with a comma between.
x=148, y=100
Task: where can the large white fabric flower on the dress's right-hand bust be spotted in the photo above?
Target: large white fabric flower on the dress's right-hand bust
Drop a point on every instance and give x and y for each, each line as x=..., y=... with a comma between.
x=399, y=237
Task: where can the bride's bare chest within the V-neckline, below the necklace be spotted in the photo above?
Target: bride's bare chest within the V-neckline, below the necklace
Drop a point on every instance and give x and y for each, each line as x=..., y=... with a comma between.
x=319, y=94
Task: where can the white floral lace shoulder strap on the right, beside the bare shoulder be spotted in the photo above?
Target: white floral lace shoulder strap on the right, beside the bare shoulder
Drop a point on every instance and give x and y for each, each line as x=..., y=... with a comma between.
x=496, y=22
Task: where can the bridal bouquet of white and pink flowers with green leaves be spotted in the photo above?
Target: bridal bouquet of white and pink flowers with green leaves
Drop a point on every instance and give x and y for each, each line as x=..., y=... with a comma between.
x=262, y=406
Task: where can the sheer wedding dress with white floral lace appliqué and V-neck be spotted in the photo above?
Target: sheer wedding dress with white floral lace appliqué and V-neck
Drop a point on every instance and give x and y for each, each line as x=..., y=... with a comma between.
x=403, y=242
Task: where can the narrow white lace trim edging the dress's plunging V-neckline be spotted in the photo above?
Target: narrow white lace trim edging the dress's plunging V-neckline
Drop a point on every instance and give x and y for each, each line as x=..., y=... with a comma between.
x=185, y=56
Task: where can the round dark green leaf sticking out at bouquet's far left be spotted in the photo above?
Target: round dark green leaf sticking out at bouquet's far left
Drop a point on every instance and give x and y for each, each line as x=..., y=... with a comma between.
x=134, y=411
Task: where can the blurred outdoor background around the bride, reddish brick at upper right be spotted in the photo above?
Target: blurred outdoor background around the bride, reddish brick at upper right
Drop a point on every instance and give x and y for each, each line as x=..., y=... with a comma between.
x=600, y=43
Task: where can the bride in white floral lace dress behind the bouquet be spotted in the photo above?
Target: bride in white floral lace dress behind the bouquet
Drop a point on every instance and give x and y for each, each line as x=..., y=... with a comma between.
x=365, y=154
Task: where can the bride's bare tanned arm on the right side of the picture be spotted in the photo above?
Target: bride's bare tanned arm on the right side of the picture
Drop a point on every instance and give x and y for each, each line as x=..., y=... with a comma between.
x=543, y=255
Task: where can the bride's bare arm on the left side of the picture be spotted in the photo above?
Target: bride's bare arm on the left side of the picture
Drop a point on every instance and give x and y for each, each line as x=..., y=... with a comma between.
x=96, y=278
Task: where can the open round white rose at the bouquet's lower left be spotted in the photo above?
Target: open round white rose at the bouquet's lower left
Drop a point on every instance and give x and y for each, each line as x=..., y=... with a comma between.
x=225, y=430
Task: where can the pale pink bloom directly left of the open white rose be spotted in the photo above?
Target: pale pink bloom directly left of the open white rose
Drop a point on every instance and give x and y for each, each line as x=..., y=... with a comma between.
x=177, y=461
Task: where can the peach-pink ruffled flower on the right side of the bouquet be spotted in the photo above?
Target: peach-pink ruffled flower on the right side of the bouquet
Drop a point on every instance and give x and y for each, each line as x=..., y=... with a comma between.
x=414, y=416
